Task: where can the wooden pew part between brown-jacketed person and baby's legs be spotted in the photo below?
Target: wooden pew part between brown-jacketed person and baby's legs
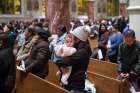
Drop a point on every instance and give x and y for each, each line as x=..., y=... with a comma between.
x=52, y=73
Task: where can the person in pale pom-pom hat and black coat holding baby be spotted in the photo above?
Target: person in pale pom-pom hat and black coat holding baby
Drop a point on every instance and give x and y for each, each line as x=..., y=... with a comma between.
x=79, y=60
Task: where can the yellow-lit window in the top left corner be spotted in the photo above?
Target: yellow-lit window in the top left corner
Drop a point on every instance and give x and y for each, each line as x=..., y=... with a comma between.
x=10, y=7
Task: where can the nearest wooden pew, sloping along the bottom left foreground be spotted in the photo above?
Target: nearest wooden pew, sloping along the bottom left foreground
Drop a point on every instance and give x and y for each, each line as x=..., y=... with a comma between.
x=33, y=84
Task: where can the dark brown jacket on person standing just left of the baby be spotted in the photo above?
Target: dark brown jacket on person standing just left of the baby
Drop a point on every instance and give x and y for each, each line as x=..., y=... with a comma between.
x=37, y=63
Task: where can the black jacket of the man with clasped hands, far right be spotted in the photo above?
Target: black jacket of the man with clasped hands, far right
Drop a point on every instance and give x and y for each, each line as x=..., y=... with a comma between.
x=129, y=60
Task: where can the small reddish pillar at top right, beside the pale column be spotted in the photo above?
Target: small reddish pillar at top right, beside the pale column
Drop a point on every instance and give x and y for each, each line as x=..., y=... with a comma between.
x=123, y=7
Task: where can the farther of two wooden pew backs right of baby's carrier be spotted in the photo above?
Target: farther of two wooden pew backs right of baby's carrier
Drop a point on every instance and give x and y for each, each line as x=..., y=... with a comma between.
x=103, y=67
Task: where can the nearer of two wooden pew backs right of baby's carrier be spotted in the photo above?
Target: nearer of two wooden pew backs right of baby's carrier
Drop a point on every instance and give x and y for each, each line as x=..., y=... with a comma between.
x=104, y=84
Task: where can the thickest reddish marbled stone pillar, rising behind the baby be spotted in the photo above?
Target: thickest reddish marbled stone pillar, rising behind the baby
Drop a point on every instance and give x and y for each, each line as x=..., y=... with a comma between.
x=57, y=12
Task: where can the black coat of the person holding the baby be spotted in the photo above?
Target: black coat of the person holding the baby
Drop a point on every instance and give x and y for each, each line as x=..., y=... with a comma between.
x=79, y=62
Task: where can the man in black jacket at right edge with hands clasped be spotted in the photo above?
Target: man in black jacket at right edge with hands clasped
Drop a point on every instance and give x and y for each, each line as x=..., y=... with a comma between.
x=129, y=59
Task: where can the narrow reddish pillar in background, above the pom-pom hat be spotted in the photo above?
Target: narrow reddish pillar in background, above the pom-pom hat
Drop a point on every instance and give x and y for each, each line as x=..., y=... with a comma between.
x=90, y=9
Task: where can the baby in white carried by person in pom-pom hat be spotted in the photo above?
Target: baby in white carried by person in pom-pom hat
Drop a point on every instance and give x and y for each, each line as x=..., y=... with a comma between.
x=65, y=50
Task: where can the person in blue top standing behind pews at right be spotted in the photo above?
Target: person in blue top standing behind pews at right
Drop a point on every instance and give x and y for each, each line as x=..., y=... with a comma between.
x=115, y=39
